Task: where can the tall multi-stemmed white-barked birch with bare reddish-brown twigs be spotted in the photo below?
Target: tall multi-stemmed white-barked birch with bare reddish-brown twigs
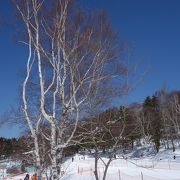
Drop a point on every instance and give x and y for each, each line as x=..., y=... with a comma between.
x=70, y=53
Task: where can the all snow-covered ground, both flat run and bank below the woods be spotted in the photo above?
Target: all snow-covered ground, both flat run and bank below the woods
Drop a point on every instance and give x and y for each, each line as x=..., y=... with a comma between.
x=163, y=166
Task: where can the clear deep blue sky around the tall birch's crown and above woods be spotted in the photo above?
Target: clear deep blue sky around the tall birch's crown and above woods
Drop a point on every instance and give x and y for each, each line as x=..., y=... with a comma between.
x=153, y=25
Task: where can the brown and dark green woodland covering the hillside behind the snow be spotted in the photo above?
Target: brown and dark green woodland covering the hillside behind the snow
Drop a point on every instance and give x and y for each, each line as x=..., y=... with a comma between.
x=154, y=122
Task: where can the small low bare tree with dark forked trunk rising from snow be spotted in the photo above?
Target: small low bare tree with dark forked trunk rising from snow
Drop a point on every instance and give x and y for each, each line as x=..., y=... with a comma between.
x=102, y=134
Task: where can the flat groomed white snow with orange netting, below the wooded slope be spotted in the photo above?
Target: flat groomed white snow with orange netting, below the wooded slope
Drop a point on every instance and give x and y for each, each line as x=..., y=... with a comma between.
x=121, y=169
